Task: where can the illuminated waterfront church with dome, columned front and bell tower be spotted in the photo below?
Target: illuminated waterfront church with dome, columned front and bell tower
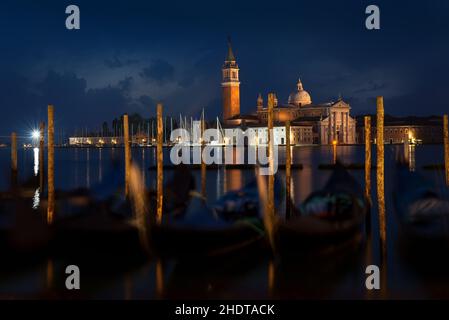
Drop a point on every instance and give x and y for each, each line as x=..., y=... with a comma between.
x=310, y=123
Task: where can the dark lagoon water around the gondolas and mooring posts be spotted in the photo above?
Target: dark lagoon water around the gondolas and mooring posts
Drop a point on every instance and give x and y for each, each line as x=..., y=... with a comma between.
x=243, y=277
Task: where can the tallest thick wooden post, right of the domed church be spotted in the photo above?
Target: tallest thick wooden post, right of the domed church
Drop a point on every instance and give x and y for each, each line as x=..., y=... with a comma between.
x=380, y=172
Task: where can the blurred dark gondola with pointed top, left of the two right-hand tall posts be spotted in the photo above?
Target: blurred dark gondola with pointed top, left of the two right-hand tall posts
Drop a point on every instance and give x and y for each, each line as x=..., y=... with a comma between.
x=328, y=222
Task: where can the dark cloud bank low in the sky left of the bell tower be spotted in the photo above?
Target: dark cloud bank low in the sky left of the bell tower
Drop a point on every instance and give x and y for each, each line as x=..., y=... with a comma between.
x=75, y=104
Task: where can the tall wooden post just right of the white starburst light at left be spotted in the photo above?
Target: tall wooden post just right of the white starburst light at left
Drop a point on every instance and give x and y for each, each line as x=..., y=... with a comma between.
x=50, y=166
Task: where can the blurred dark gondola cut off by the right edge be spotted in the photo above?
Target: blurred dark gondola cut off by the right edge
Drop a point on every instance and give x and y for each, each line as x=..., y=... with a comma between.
x=423, y=215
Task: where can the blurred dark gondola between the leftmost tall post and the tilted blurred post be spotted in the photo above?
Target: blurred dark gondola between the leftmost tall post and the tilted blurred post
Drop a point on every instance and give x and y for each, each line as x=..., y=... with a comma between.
x=98, y=224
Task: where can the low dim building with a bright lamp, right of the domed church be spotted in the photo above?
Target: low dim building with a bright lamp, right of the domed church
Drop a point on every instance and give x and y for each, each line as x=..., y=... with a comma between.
x=400, y=129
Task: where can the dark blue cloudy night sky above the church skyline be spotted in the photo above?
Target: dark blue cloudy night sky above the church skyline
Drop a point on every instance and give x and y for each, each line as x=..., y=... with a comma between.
x=131, y=54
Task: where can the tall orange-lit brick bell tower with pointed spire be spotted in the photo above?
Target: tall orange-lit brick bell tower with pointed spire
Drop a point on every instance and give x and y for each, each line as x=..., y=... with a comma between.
x=230, y=86
